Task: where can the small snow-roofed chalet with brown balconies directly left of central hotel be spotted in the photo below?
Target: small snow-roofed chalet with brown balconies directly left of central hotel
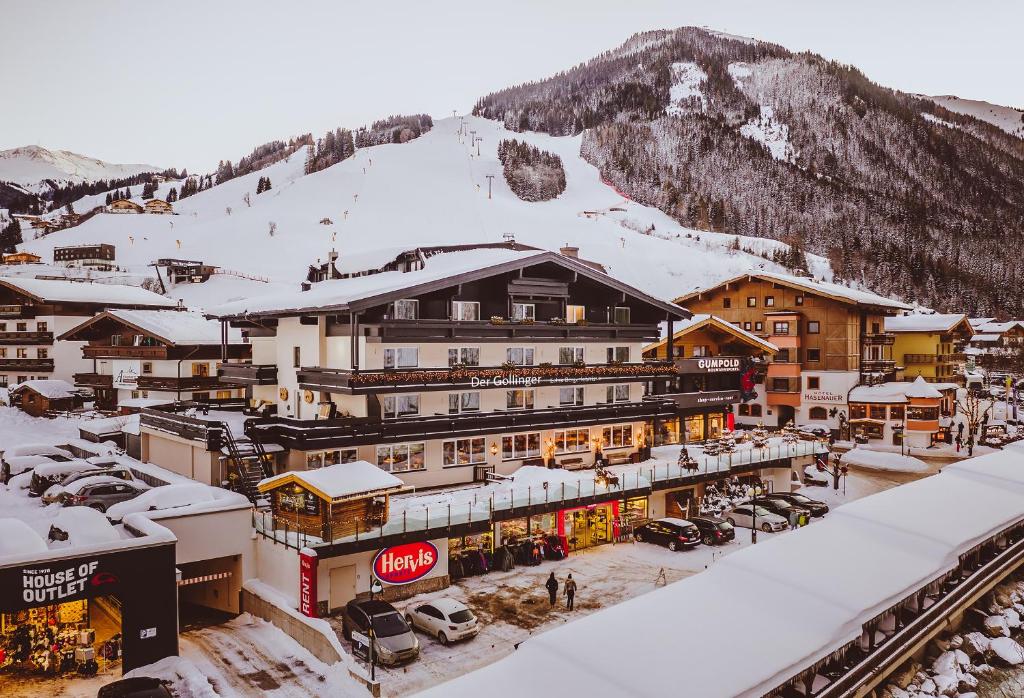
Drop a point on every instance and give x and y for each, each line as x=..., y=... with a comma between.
x=156, y=355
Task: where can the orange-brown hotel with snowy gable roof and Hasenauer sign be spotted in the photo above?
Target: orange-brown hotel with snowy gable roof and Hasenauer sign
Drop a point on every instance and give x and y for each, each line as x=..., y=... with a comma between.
x=831, y=338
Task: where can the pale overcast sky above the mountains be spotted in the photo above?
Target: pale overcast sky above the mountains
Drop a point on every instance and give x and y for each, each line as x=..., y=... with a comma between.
x=186, y=83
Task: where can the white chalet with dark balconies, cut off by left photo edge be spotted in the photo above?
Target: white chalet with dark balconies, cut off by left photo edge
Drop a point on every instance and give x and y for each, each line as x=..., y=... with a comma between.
x=33, y=312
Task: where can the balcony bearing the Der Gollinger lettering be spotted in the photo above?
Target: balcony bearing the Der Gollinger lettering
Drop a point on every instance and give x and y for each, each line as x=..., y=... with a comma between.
x=405, y=380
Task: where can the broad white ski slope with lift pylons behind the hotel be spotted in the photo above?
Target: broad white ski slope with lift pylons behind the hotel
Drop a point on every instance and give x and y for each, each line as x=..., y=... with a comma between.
x=429, y=192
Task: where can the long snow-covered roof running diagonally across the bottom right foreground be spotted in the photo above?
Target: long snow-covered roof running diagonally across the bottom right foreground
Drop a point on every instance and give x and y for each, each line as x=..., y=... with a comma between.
x=816, y=588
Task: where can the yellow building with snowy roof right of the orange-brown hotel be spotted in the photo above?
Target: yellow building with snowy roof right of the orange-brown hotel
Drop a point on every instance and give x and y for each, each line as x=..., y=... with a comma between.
x=930, y=346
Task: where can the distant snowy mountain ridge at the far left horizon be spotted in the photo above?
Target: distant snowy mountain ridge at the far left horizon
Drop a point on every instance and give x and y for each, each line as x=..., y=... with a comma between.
x=33, y=164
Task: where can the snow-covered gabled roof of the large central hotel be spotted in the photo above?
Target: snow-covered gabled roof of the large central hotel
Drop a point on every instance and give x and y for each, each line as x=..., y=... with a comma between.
x=367, y=291
